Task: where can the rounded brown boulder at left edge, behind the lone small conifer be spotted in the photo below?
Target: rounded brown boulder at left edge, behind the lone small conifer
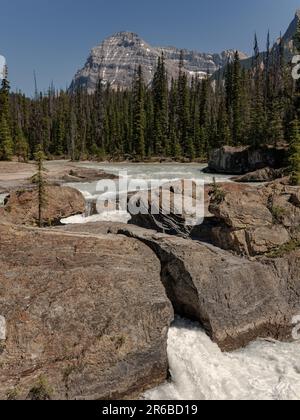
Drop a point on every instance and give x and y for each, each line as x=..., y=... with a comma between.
x=21, y=207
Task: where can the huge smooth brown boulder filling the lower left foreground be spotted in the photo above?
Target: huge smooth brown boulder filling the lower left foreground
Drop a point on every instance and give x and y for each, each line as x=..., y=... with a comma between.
x=81, y=316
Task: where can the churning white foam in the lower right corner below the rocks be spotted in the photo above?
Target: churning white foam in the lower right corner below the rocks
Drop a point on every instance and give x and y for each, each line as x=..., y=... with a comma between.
x=265, y=370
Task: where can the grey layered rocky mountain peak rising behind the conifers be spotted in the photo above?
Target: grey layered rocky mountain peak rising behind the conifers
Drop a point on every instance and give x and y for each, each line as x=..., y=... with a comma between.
x=117, y=57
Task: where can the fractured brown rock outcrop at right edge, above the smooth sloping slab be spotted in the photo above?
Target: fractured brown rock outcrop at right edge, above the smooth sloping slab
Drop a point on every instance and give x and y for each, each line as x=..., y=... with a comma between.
x=254, y=221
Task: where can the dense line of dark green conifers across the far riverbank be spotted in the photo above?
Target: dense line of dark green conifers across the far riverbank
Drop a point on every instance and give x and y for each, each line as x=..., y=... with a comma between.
x=179, y=118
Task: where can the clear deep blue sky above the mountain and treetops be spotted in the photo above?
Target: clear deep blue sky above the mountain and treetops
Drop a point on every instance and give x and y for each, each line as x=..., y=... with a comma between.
x=54, y=37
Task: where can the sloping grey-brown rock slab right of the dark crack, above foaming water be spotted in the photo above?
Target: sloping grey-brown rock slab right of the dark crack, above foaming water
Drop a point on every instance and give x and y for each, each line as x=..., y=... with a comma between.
x=235, y=299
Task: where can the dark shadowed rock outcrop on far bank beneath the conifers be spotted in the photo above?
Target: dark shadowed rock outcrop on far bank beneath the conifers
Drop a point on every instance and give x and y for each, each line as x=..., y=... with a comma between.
x=241, y=160
